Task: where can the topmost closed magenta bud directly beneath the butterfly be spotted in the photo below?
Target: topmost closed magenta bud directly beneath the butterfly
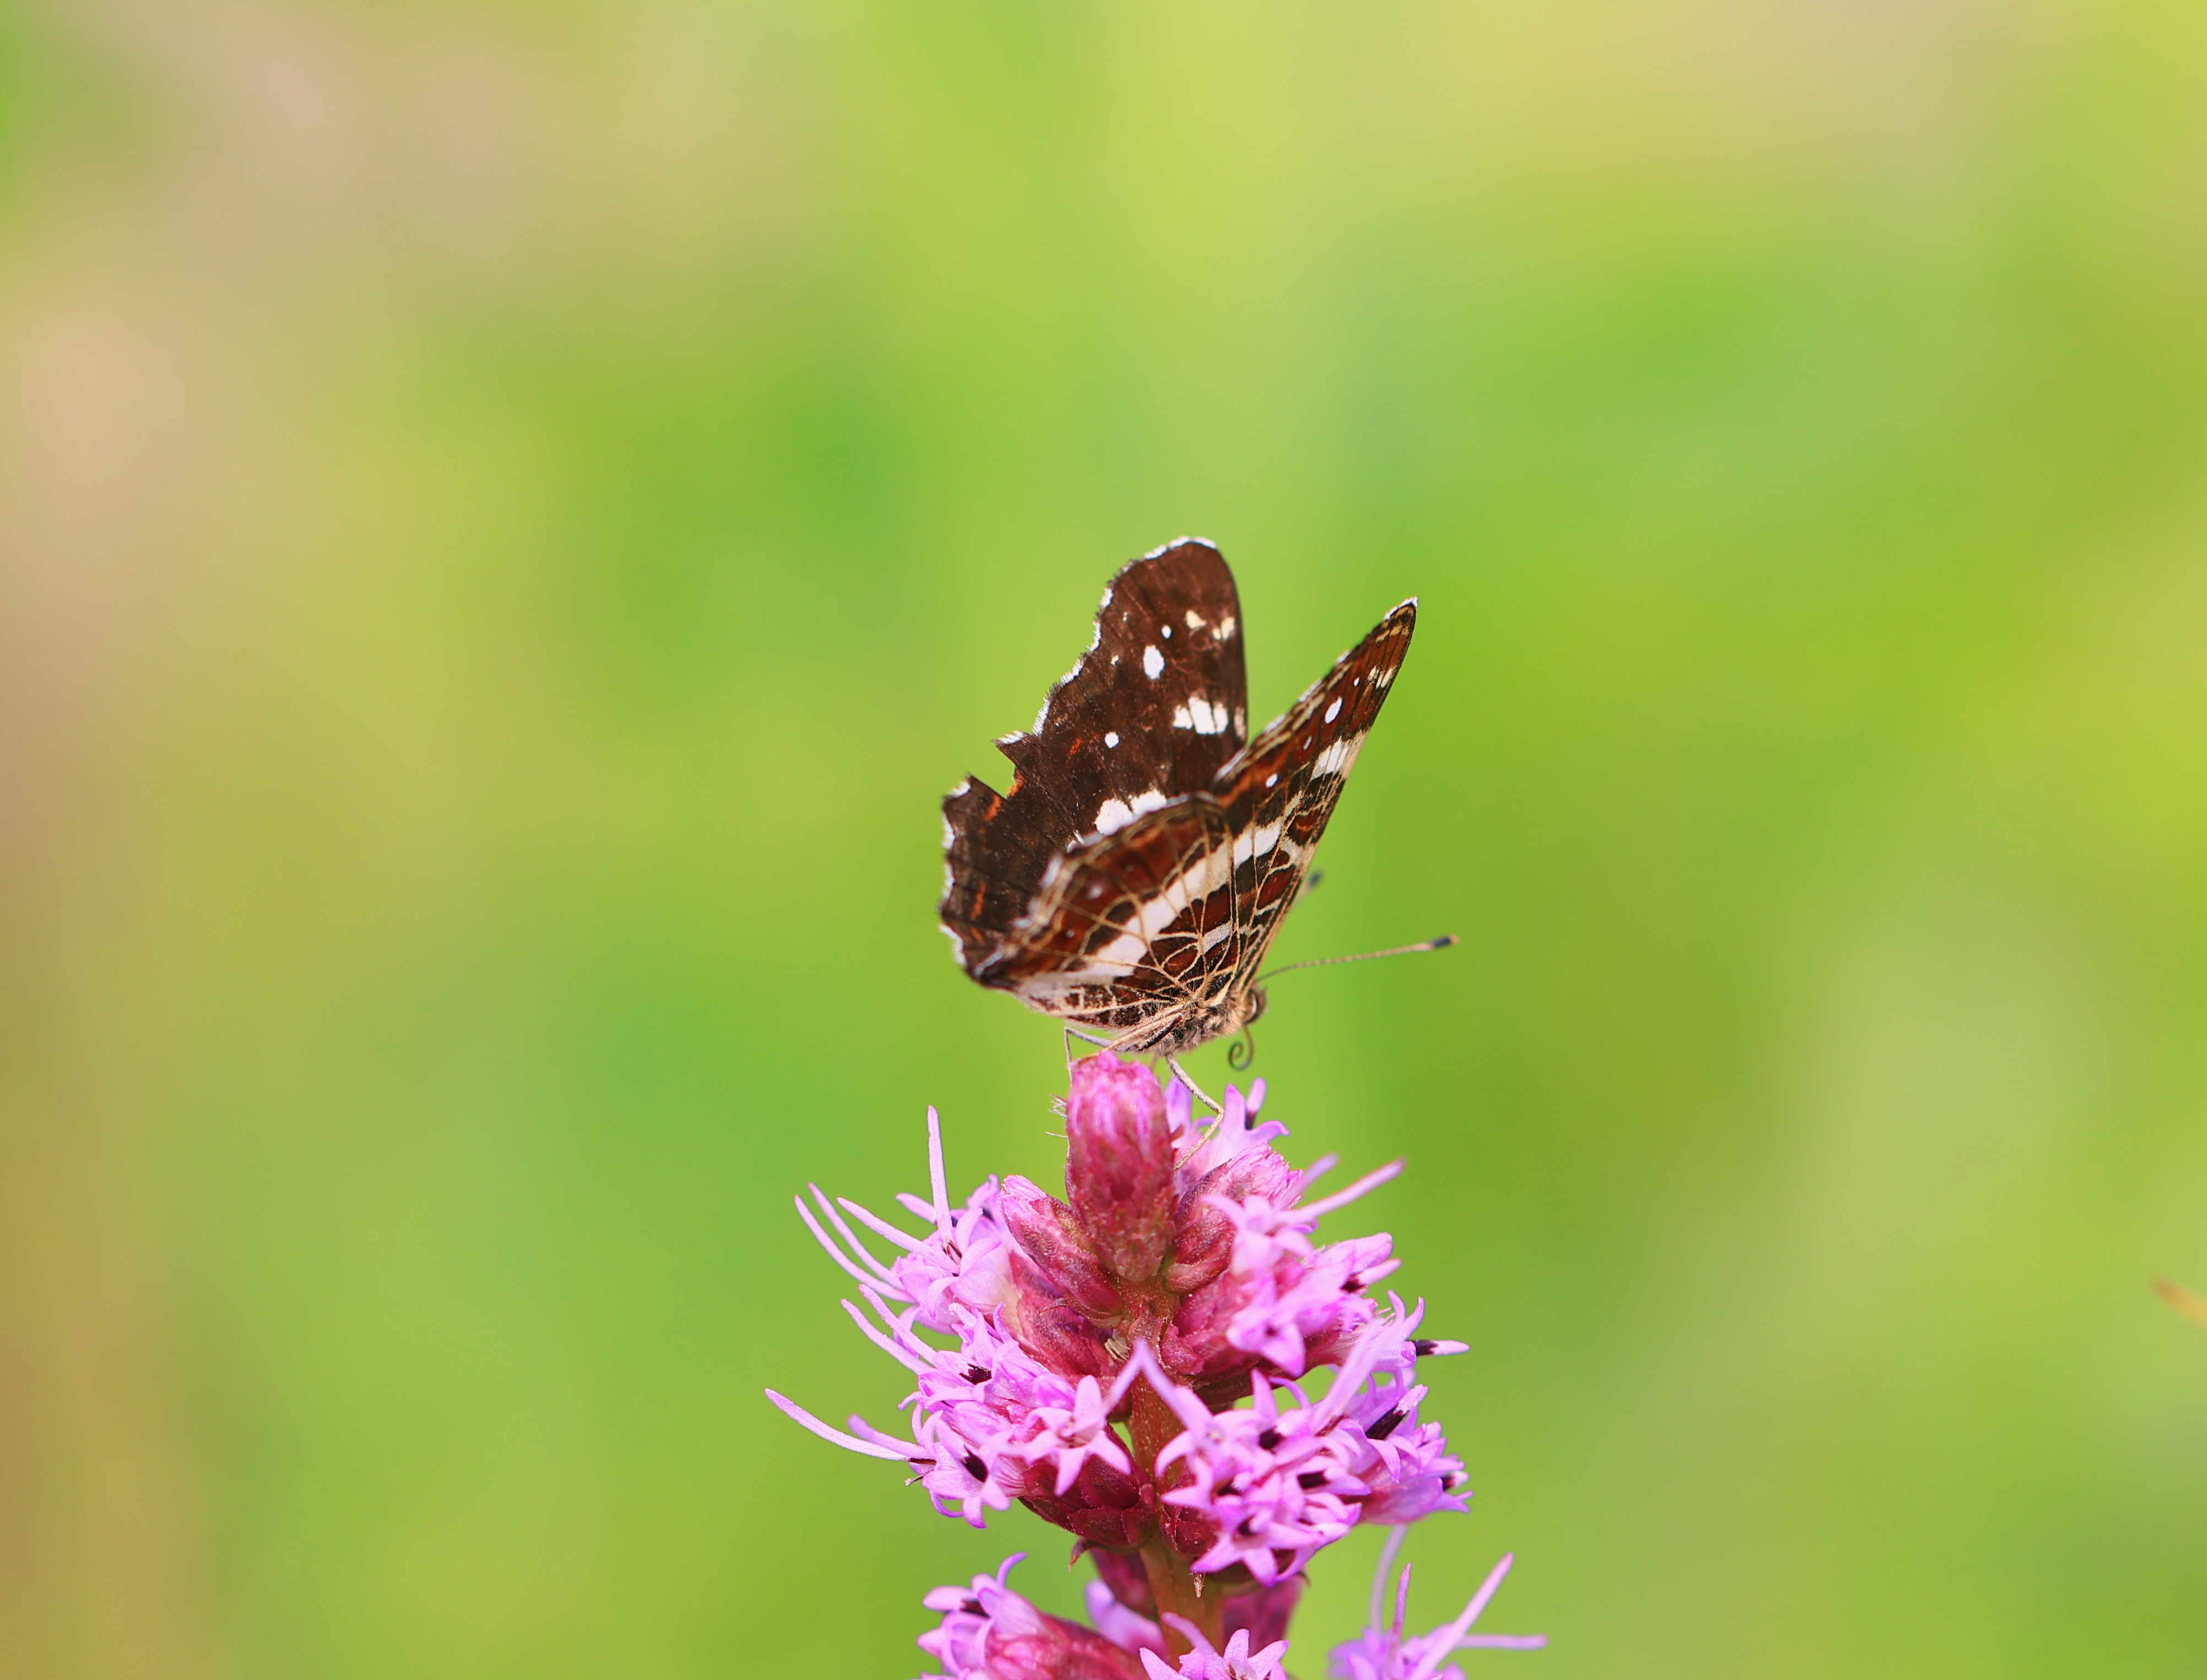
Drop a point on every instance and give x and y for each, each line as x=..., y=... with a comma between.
x=1120, y=1165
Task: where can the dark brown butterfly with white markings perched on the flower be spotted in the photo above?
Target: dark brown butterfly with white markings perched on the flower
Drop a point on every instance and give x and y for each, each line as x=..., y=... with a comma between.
x=1142, y=862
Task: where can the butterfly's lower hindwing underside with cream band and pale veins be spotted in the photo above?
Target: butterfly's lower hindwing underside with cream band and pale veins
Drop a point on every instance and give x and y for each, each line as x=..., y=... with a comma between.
x=1129, y=928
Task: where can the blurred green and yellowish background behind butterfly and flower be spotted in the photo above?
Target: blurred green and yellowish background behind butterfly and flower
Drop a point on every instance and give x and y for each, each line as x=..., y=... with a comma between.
x=513, y=515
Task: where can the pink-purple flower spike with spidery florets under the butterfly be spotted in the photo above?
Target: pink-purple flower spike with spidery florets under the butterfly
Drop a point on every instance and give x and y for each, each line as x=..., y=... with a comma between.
x=1182, y=1270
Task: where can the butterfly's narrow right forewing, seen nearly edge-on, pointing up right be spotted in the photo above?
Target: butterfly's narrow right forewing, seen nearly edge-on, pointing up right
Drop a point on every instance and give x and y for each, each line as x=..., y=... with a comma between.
x=1283, y=789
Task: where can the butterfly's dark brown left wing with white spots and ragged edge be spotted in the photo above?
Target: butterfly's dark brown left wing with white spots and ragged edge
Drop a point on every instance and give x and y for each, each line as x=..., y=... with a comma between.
x=1151, y=712
